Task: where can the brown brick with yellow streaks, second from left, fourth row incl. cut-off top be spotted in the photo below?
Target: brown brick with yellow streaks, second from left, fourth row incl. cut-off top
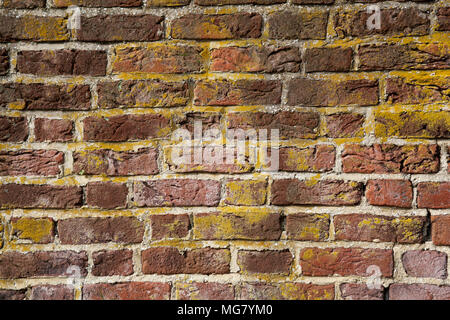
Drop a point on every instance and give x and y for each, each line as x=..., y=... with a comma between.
x=142, y=94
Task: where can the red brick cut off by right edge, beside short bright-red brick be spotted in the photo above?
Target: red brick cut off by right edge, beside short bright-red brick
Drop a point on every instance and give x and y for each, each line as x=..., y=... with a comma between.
x=434, y=195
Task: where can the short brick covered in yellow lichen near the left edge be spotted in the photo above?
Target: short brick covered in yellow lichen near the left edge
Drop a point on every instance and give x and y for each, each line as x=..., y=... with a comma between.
x=36, y=230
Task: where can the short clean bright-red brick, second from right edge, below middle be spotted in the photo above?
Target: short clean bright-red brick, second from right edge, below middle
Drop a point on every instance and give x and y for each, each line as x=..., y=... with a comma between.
x=393, y=193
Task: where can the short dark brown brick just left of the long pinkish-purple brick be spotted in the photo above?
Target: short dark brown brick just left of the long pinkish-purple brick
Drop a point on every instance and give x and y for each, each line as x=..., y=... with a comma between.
x=106, y=195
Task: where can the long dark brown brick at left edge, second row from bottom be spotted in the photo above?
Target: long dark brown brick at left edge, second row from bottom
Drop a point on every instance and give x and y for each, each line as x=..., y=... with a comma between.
x=15, y=265
